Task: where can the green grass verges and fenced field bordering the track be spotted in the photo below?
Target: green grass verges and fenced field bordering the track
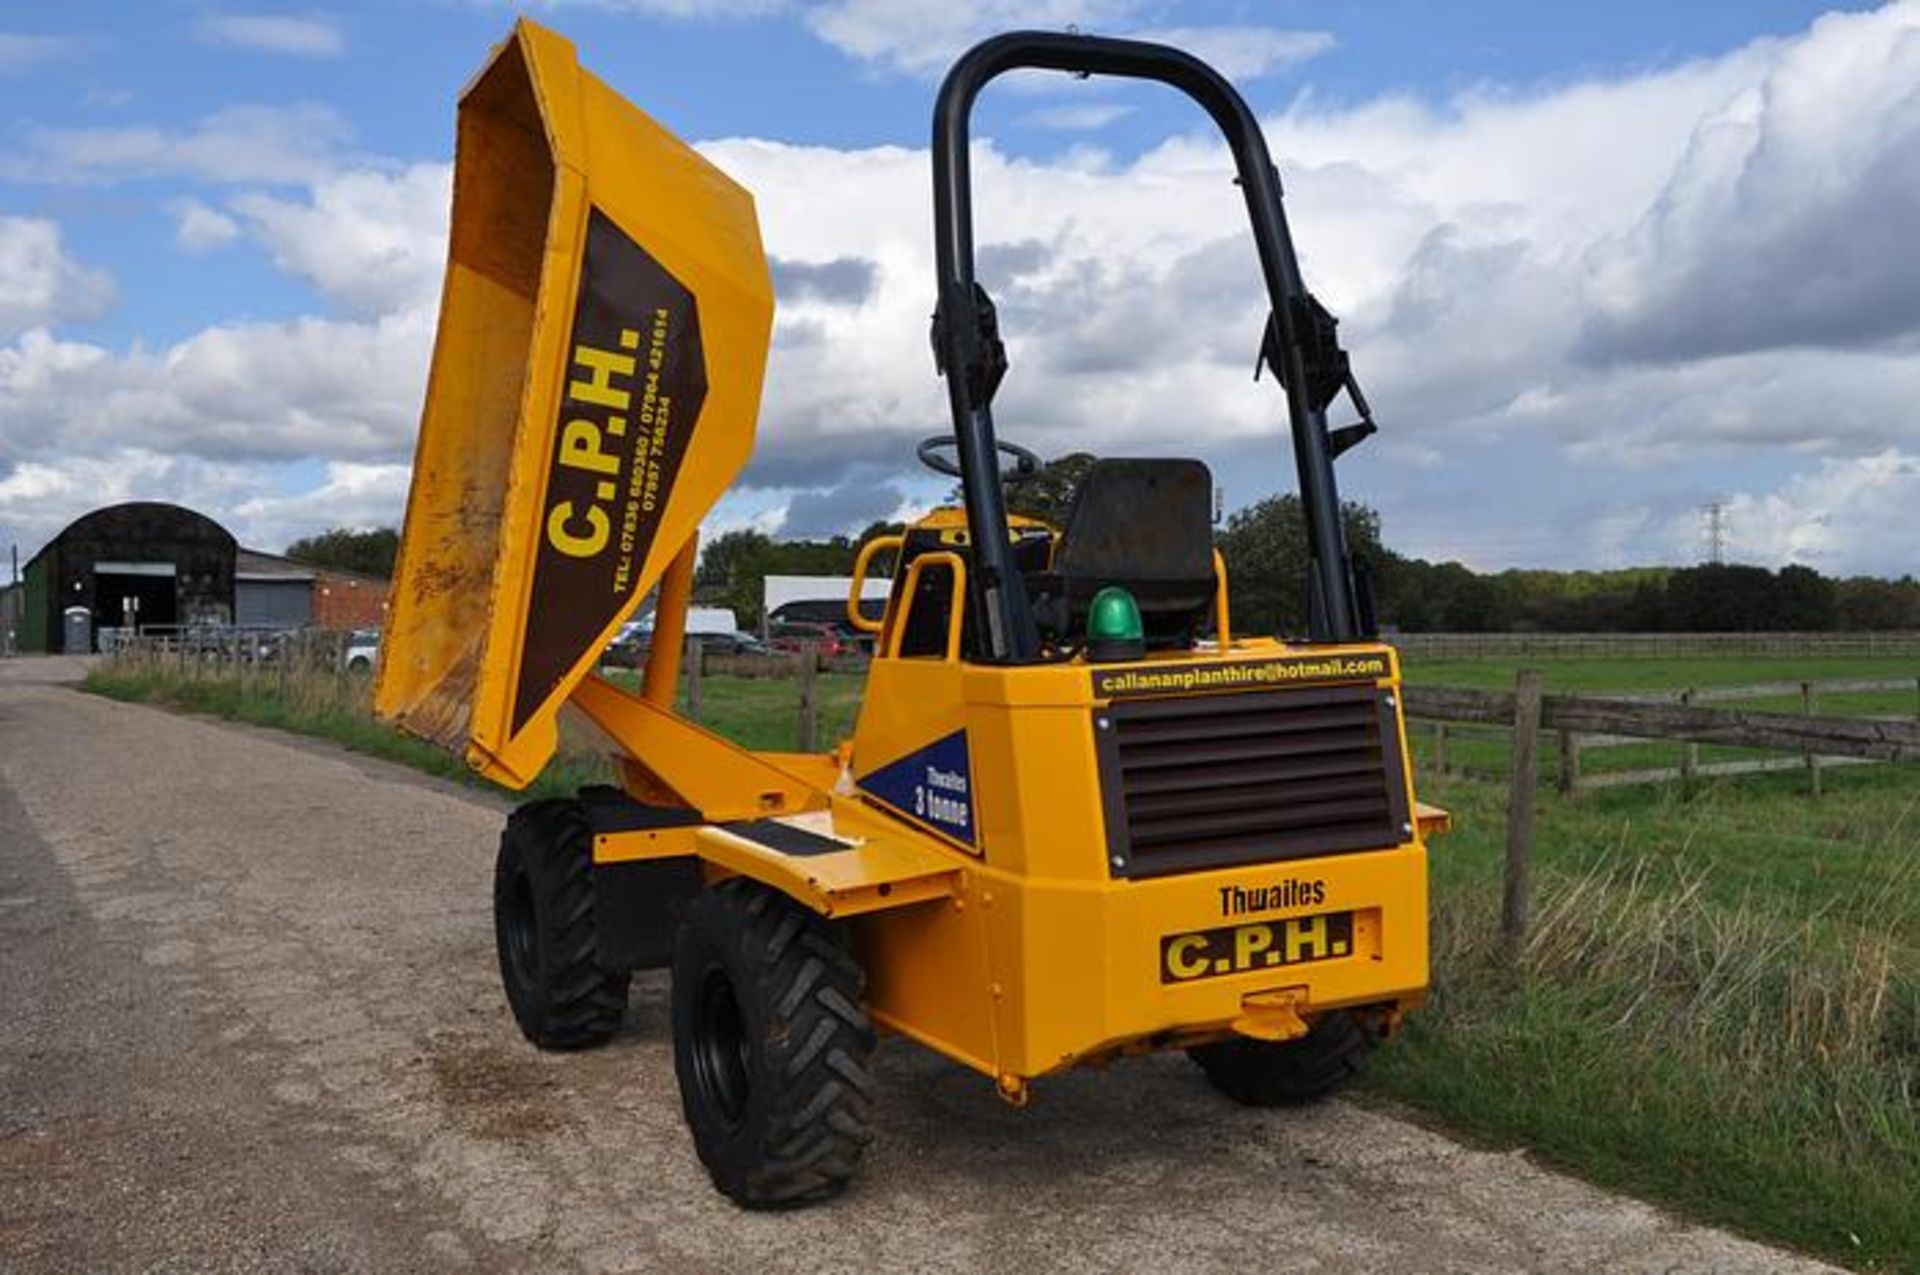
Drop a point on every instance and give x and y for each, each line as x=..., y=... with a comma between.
x=1719, y=1005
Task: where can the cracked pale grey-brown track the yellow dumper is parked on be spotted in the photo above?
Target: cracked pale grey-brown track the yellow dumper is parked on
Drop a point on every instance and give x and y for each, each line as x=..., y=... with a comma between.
x=252, y=1024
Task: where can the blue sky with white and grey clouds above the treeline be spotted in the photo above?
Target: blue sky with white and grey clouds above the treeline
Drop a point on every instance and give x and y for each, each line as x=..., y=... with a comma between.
x=1598, y=266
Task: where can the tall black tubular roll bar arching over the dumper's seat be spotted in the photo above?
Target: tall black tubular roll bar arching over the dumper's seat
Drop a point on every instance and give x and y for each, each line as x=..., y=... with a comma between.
x=969, y=349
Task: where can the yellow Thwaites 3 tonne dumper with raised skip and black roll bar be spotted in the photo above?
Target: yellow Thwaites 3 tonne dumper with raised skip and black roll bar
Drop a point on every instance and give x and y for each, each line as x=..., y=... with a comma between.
x=1080, y=815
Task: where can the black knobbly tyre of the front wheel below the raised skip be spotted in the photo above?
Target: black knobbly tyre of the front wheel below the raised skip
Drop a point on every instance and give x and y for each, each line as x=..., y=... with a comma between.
x=571, y=1001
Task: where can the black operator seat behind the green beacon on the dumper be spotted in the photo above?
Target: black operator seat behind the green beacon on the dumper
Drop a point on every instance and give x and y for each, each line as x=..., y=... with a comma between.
x=1145, y=527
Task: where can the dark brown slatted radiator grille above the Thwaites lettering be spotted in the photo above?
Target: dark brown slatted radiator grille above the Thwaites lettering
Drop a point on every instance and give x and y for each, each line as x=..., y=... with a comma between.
x=1222, y=781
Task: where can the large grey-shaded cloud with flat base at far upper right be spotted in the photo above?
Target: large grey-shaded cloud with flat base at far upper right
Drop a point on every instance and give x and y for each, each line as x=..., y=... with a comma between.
x=1790, y=220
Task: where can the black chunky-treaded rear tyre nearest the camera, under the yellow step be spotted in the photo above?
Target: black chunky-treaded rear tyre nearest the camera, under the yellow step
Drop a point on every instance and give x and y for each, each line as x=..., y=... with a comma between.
x=802, y=994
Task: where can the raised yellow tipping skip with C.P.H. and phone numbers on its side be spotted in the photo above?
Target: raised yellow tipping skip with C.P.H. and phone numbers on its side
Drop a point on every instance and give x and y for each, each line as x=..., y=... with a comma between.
x=596, y=379
